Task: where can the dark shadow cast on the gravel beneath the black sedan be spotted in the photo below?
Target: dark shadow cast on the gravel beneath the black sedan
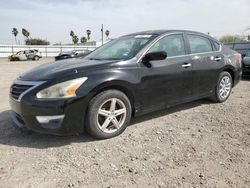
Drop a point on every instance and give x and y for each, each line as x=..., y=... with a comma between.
x=13, y=136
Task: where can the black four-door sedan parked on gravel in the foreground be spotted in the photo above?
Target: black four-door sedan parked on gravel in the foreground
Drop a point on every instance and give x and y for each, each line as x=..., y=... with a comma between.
x=130, y=76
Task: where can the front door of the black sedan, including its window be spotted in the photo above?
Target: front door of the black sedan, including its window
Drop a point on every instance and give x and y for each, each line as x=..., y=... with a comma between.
x=167, y=81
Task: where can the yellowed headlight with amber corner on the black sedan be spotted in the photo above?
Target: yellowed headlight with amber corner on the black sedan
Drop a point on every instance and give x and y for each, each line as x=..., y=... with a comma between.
x=62, y=90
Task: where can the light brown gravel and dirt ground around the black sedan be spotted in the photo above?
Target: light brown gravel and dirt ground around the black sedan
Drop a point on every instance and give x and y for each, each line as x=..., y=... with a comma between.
x=200, y=144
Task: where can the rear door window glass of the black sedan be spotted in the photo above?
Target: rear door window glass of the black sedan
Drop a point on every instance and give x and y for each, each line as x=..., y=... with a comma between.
x=199, y=44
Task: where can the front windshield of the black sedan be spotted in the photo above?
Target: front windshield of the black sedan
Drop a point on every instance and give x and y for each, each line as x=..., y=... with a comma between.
x=123, y=48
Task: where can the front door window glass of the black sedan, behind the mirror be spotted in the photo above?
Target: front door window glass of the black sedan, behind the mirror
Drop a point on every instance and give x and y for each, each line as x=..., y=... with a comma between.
x=173, y=45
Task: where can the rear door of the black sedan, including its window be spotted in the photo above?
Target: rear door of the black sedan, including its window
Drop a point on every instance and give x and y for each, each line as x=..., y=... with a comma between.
x=206, y=62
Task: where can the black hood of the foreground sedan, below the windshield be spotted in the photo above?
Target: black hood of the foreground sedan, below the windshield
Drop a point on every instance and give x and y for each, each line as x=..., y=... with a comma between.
x=63, y=68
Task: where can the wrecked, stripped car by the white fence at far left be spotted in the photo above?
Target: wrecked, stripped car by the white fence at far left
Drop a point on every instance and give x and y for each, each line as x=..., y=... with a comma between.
x=26, y=55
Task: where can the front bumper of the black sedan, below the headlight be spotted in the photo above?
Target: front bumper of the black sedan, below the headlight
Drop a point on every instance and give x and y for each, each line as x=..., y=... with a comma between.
x=61, y=117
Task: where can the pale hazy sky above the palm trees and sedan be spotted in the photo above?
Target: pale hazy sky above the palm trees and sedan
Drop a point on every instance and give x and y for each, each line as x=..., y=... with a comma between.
x=54, y=19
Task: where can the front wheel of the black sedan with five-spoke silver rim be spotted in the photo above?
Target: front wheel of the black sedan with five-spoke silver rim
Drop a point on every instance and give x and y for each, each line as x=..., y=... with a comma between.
x=96, y=121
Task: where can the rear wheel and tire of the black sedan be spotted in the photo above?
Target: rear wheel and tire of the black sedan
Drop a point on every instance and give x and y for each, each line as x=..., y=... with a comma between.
x=219, y=97
